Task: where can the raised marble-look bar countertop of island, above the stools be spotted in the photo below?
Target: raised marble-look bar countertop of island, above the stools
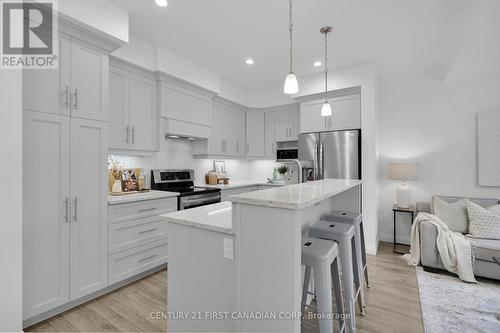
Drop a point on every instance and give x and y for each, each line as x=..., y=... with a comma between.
x=297, y=196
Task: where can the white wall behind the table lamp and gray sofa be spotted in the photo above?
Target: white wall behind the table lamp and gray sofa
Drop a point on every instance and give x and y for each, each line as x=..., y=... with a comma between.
x=428, y=121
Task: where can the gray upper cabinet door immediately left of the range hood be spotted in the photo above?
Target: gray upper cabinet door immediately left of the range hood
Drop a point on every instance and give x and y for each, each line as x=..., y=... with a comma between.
x=143, y=113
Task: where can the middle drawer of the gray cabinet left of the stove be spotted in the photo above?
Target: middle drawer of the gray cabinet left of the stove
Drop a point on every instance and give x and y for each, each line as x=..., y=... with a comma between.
x=129, y=234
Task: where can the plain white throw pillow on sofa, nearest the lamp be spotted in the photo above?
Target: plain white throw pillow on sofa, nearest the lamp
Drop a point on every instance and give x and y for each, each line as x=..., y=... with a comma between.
x=454, y=214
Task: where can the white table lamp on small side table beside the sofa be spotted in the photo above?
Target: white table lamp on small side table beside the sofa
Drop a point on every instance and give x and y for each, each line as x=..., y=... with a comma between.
x=403, y=171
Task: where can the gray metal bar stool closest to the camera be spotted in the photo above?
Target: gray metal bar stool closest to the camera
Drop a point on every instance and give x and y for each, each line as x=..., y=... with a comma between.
x=322, y=256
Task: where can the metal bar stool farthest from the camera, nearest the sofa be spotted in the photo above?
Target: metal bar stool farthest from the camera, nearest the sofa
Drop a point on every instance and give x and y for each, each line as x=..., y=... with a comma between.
x=356, y=220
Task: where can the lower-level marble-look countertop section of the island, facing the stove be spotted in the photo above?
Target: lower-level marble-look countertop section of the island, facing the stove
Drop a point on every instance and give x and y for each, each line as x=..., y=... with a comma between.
x=215, y=217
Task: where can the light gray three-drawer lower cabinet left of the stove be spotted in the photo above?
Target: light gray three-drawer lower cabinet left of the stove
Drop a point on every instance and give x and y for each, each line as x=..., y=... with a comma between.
x=137, y=237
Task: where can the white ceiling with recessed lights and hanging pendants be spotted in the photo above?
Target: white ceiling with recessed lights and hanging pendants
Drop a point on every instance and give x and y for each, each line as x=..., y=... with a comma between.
x=400, y=36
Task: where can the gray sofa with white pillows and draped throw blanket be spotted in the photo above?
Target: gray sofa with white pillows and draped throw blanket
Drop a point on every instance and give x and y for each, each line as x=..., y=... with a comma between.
x=484, y=265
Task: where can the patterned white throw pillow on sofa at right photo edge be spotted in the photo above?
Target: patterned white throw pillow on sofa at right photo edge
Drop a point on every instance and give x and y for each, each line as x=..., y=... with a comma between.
x=484, y=223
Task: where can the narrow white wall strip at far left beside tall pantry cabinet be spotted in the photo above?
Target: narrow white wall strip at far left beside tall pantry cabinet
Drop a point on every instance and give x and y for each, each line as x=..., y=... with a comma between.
x=11, y=201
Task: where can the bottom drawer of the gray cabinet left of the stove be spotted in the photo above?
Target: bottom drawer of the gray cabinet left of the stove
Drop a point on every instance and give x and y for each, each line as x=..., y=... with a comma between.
x=128, y=263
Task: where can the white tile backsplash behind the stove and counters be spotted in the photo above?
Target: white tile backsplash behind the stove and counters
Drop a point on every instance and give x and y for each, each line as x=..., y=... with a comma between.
x=176, y=154
